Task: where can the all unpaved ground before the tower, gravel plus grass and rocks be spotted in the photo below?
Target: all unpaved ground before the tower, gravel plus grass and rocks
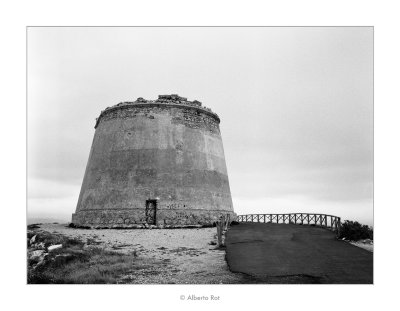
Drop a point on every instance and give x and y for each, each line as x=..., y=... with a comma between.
x=58, y=253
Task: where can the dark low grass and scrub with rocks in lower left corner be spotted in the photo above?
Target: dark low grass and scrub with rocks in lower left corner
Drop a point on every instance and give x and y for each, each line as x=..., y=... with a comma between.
x=75, y=262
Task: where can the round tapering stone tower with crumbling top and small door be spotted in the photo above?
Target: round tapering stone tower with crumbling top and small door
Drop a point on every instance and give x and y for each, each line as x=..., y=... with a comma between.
x=157, y=162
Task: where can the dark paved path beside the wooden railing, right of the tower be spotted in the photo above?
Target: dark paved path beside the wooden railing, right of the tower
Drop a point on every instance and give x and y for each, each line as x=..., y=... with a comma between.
x=283, y=253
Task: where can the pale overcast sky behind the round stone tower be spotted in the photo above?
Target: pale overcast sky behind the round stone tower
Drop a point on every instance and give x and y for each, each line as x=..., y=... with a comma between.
x=296, y=108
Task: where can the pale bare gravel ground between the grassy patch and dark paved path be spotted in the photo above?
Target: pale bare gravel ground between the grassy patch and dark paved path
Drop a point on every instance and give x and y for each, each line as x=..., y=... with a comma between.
x=174, y=256
